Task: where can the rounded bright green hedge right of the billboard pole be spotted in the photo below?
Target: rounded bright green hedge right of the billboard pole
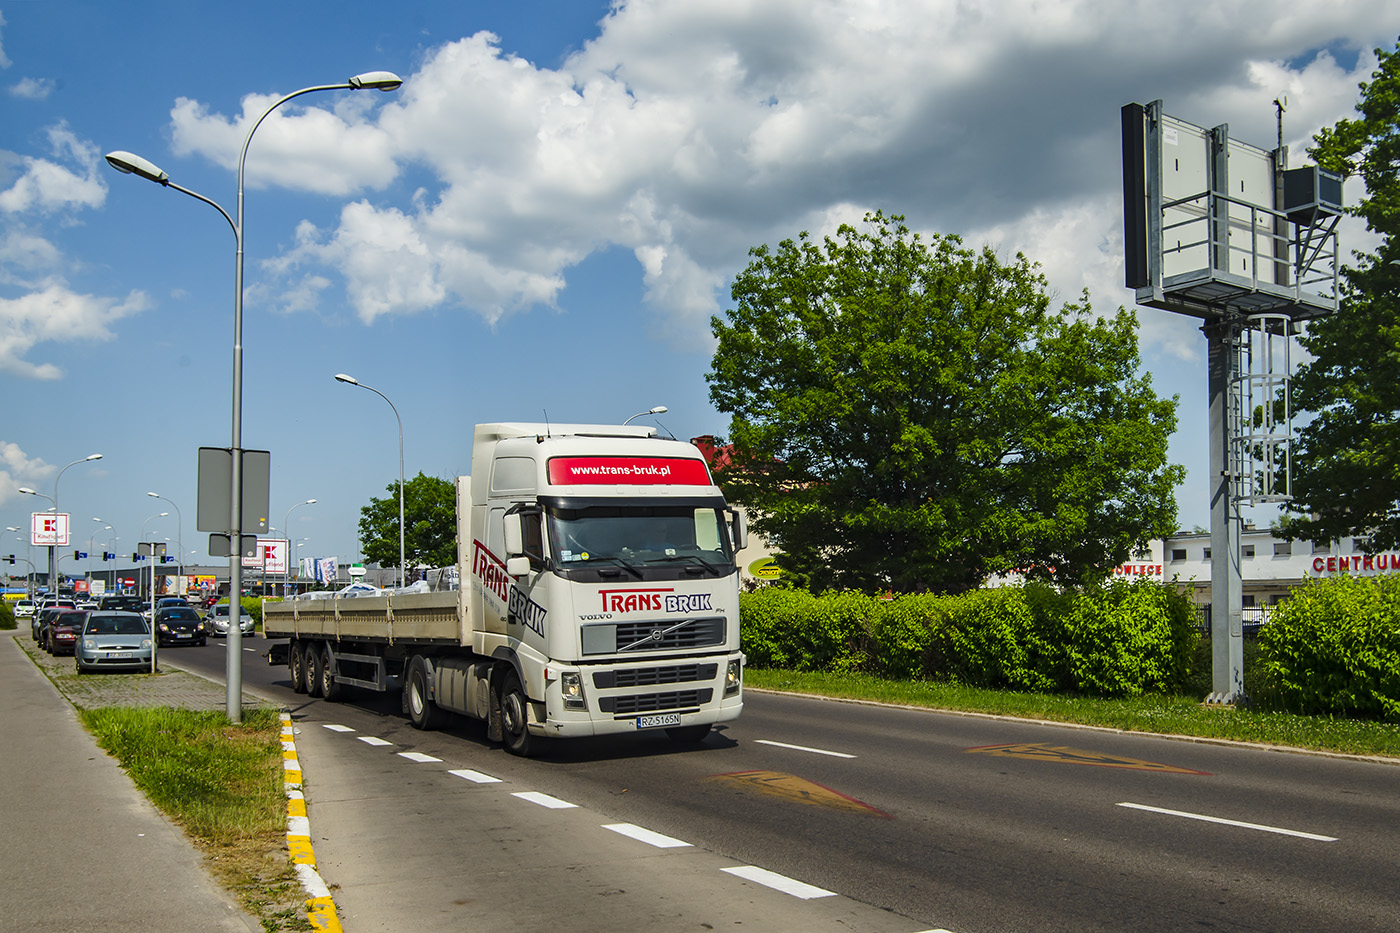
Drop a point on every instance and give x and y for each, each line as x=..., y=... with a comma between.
x=1333, y=648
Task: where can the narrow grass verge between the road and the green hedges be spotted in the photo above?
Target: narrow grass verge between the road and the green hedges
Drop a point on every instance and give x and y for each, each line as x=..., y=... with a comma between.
x=1158, y=715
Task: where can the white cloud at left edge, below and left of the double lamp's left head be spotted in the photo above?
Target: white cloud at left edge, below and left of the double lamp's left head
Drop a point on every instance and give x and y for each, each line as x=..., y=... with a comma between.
x=54, y=315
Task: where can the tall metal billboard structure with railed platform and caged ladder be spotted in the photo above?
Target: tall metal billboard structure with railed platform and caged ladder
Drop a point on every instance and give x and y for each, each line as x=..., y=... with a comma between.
x=1226, y=232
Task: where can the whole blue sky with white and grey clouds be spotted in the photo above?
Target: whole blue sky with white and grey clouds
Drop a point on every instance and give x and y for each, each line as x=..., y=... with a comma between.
x=542, y=221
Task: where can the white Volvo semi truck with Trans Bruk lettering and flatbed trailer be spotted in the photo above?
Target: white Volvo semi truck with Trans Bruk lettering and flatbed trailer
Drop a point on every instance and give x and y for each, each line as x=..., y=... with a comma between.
x=598, y=595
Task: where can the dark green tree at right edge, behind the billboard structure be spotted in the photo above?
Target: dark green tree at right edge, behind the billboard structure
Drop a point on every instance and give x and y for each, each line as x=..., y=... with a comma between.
x=1347, y=456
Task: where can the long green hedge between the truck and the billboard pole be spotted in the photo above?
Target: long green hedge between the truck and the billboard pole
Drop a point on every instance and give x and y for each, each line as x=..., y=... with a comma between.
x=1123, y=640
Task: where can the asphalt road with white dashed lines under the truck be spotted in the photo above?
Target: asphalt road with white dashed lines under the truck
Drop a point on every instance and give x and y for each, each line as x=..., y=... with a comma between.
x=936, y=822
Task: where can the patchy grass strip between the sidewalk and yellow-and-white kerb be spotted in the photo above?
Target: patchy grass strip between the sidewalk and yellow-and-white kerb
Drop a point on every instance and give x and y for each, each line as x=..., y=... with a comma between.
x=223, y=785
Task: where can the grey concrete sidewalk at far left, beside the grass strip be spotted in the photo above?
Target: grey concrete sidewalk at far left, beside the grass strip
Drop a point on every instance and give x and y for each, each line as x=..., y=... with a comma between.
x=82, y=847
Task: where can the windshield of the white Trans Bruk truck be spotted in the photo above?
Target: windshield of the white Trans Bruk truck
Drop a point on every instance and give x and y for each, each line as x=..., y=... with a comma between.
x=640, y=537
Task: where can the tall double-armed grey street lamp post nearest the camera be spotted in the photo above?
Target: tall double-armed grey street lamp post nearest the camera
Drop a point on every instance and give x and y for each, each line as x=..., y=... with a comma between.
x=131, y=165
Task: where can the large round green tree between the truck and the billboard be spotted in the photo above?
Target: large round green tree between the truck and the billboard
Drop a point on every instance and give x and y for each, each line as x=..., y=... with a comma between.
x=912, y=415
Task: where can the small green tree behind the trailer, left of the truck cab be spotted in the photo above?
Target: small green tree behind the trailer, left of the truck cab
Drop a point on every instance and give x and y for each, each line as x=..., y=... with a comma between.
x=429, y=525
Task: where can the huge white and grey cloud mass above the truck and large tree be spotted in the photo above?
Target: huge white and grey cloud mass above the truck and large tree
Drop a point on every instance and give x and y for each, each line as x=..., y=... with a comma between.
x=688, y=132
